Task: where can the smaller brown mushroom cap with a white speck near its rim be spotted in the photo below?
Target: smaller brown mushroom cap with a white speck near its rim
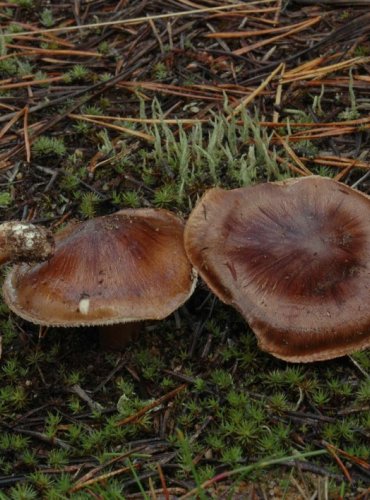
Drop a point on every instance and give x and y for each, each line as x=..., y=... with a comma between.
x=128, y=266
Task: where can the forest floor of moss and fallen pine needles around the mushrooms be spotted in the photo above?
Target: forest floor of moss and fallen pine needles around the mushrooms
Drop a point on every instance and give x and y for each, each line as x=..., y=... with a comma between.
x=110, y=104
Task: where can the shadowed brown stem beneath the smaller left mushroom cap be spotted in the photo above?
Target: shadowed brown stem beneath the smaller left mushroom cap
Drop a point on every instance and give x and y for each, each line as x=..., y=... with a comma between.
x=117, y=337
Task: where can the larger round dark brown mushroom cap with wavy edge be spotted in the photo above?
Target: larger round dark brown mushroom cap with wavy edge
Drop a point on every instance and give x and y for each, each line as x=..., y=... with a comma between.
x=294, y=258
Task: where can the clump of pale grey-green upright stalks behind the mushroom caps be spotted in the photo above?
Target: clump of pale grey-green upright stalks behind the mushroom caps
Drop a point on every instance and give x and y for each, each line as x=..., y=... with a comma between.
x=206, y=153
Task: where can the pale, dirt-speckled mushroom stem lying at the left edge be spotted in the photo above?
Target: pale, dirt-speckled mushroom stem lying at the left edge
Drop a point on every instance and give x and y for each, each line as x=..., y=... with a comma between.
x=23, y=242
